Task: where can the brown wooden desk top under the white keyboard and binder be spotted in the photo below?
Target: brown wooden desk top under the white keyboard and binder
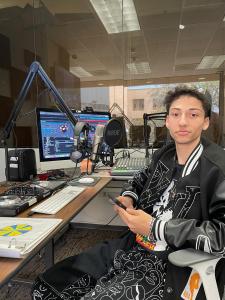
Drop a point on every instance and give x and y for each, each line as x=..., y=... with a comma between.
x=10, y=267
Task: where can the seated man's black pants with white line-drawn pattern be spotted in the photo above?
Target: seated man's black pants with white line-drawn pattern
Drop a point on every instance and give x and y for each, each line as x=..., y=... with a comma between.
x=97, y=275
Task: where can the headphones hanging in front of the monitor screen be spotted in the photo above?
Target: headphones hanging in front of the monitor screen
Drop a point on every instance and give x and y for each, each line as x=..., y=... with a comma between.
x=80, y=146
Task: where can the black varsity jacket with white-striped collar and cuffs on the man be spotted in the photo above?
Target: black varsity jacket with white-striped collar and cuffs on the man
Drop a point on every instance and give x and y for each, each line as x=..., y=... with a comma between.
x=198, y=207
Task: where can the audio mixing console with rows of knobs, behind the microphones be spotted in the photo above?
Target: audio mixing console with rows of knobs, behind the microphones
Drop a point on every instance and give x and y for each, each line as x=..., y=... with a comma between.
x=128, y=166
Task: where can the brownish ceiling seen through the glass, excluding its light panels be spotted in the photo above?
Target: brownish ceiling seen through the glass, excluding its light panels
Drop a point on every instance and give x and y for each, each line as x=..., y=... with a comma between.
x=172, y=53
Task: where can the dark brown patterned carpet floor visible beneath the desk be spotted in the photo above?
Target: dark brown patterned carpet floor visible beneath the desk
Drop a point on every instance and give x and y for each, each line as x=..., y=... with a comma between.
x=72, y=242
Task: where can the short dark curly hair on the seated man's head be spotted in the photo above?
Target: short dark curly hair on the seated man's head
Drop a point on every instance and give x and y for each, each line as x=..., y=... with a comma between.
x=185, y=91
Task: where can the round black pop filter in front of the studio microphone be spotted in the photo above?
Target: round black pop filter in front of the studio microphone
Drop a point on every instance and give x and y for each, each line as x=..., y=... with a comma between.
x=113, y=132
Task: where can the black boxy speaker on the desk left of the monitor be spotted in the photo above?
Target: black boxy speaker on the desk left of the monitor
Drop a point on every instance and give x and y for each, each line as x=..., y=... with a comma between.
x=21, y=165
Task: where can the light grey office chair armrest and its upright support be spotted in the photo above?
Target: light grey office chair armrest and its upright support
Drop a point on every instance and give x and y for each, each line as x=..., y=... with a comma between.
x=203, y=263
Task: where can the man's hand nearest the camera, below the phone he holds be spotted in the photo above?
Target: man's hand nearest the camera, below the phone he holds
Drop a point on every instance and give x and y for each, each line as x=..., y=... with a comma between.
x=137, y=220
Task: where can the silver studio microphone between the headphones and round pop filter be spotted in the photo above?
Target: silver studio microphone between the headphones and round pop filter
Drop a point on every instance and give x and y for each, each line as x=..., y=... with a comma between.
x=97, y=142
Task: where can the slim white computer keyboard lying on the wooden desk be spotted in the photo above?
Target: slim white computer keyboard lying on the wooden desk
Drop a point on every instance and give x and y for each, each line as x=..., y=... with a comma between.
x=57, y=201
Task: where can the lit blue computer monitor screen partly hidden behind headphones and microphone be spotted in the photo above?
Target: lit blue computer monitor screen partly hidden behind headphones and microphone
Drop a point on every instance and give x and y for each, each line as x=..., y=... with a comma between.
x=56, y=132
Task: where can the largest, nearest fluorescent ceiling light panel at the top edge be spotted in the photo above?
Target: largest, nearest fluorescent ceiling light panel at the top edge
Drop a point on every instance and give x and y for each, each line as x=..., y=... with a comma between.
x=117, y=15
